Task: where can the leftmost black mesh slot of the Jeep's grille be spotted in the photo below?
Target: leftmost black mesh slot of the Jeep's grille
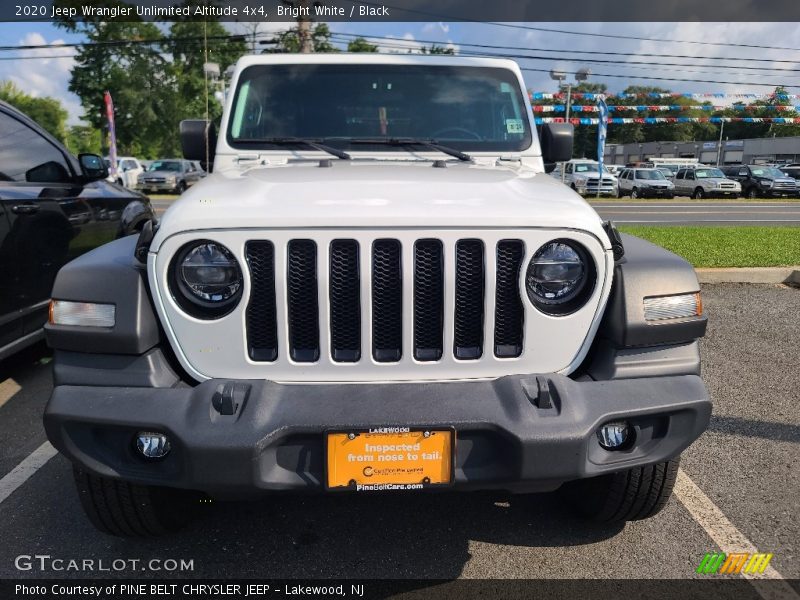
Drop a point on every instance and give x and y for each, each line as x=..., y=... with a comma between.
x=262, y=327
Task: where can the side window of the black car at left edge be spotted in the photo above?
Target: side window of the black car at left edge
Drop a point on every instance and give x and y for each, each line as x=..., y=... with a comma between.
x=25, y=156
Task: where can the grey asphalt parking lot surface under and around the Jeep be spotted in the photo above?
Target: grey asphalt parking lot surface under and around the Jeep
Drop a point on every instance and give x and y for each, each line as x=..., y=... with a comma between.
x=745, y=466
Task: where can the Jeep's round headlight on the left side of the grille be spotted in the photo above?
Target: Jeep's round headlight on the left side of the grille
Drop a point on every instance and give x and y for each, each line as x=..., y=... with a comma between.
x=206, y=279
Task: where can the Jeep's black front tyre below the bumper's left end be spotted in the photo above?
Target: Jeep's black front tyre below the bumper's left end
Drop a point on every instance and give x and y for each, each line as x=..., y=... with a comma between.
x=128, y=510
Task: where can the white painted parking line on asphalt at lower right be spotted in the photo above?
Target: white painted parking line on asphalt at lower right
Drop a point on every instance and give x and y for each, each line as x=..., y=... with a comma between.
x=727, y=537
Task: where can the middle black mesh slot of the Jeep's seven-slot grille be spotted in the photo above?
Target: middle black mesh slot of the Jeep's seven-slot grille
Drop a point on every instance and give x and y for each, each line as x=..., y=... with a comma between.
x=387, y=301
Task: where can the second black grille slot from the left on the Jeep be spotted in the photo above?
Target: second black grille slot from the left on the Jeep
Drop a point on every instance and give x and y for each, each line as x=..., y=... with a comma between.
x=303, y=306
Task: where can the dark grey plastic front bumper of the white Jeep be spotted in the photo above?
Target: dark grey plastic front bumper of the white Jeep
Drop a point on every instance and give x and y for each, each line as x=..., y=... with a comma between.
x=274, y=442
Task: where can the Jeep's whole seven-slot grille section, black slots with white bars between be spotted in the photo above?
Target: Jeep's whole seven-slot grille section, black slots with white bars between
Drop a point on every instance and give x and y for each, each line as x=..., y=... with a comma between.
x=431, y=285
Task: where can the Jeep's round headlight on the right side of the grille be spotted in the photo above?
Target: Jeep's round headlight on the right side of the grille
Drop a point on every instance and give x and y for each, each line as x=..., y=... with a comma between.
x=560, y=277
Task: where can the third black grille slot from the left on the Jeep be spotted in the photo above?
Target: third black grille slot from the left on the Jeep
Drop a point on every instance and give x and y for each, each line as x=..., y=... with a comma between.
x=345, y=301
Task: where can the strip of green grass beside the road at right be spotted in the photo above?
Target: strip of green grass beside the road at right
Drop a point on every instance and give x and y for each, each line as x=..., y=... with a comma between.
x=726, y=246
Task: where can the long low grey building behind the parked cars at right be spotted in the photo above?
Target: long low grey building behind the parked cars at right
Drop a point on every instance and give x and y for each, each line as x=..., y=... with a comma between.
x=731, y=152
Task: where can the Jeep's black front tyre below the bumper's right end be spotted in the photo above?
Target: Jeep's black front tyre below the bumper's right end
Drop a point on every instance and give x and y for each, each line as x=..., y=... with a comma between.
x=631, y=495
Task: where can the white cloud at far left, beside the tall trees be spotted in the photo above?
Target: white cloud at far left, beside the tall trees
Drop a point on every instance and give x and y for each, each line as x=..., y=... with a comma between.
x=41, y=77
